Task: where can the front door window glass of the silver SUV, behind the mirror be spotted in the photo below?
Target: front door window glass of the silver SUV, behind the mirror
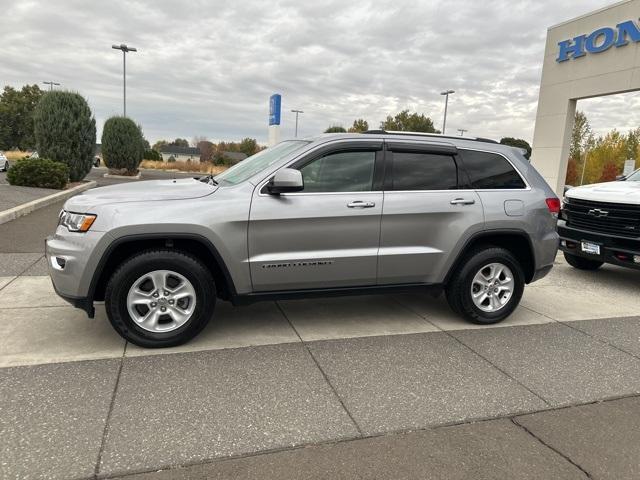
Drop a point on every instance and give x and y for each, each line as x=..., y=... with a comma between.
x=340, y=172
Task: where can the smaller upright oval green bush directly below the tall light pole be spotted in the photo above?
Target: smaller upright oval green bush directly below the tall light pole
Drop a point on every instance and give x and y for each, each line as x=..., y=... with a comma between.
x=122, y=145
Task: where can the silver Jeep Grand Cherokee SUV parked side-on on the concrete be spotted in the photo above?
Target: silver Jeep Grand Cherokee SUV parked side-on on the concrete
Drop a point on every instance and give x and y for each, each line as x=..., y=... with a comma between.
x=336, y=214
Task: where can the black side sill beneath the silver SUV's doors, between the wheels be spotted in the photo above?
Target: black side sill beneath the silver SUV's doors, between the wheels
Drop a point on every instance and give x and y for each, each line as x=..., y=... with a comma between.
x=249, y=298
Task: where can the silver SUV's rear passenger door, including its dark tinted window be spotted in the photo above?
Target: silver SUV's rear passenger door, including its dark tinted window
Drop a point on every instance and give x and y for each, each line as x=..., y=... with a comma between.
x=428, y=208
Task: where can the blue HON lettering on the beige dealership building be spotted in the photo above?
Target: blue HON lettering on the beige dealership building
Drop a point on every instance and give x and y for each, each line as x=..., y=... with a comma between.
x=598, y=41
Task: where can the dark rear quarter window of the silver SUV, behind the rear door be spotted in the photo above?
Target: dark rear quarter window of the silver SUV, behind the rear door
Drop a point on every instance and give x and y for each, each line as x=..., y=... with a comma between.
x=489, y=170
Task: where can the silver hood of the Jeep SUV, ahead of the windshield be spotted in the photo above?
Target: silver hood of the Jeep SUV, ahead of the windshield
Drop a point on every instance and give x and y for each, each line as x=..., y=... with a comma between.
x=146, y=191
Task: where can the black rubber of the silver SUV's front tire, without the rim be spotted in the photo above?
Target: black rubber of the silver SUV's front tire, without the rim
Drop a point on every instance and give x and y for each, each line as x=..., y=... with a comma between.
x=135, y=267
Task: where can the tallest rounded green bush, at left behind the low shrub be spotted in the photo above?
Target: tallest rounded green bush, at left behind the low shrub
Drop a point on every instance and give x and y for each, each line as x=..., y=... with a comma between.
x=65, y=131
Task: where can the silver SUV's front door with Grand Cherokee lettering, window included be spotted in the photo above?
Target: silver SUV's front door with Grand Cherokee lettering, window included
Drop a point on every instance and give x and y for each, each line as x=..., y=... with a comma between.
x=328, y=234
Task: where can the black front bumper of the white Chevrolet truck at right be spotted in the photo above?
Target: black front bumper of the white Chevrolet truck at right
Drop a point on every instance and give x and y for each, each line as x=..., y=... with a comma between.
x=613, y=249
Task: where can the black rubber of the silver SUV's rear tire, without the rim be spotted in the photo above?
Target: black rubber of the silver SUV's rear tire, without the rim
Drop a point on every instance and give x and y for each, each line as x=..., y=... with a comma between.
x=458, y=290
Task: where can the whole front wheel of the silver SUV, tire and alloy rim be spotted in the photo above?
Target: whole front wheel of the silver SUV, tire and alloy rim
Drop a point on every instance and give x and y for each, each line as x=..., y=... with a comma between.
x=160, y=298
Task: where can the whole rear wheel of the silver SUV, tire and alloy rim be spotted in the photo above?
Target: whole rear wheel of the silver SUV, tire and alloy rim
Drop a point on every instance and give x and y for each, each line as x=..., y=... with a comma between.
x=487, y=287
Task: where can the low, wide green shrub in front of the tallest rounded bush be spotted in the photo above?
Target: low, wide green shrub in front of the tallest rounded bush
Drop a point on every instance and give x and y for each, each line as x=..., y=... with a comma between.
x=38, y=172
